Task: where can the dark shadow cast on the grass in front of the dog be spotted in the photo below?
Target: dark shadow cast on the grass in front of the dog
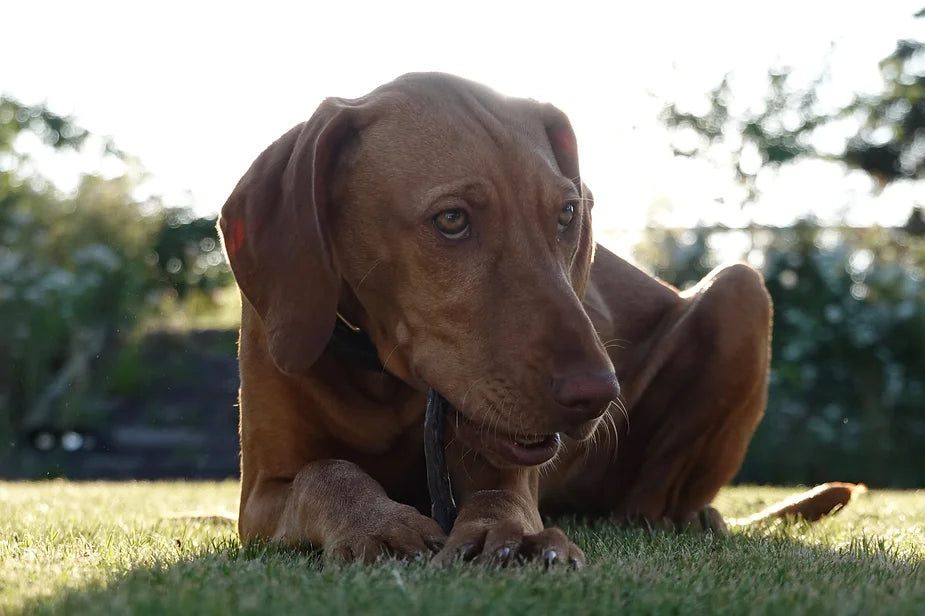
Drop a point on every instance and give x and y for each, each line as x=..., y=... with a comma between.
x=629, y=571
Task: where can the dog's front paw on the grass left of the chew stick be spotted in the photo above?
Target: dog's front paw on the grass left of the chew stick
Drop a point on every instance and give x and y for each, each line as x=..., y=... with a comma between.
x=398, y=532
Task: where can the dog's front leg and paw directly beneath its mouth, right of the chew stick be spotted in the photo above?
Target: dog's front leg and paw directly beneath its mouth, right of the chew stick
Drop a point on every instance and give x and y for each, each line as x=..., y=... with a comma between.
x=501, y=526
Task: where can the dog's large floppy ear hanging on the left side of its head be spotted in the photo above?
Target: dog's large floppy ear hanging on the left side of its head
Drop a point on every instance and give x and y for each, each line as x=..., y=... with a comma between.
x=273, y=228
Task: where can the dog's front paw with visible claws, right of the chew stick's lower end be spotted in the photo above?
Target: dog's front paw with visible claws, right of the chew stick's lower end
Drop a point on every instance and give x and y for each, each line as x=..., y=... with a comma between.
x=504, y=542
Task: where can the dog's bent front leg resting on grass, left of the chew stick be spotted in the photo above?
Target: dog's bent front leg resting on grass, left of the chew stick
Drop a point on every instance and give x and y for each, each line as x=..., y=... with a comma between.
x=335, y=506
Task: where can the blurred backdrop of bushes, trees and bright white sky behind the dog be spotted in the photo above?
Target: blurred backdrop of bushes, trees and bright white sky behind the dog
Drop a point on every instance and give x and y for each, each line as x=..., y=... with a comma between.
x=791, y=137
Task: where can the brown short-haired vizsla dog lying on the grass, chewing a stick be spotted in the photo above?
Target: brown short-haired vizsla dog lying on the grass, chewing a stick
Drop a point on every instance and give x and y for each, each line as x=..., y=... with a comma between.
x=447, y=226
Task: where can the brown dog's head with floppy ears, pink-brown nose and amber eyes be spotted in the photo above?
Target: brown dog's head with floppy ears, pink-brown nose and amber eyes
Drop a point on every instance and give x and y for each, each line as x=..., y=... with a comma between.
x=451, y=223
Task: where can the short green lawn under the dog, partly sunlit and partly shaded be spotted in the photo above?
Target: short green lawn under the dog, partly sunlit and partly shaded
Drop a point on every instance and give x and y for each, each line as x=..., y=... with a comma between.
x=111, y=548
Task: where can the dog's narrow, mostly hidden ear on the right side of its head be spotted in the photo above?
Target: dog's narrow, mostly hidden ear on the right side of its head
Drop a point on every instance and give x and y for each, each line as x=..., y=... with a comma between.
x=565, y=149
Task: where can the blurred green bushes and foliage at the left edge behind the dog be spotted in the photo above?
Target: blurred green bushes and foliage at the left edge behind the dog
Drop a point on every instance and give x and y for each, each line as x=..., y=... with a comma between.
x=78, y=271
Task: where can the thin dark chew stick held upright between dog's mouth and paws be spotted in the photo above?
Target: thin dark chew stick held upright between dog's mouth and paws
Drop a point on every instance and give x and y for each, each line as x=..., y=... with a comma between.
x=442, y=505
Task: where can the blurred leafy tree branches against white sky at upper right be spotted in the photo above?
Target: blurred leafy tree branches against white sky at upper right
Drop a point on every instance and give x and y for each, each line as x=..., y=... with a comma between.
x=889, y=143
